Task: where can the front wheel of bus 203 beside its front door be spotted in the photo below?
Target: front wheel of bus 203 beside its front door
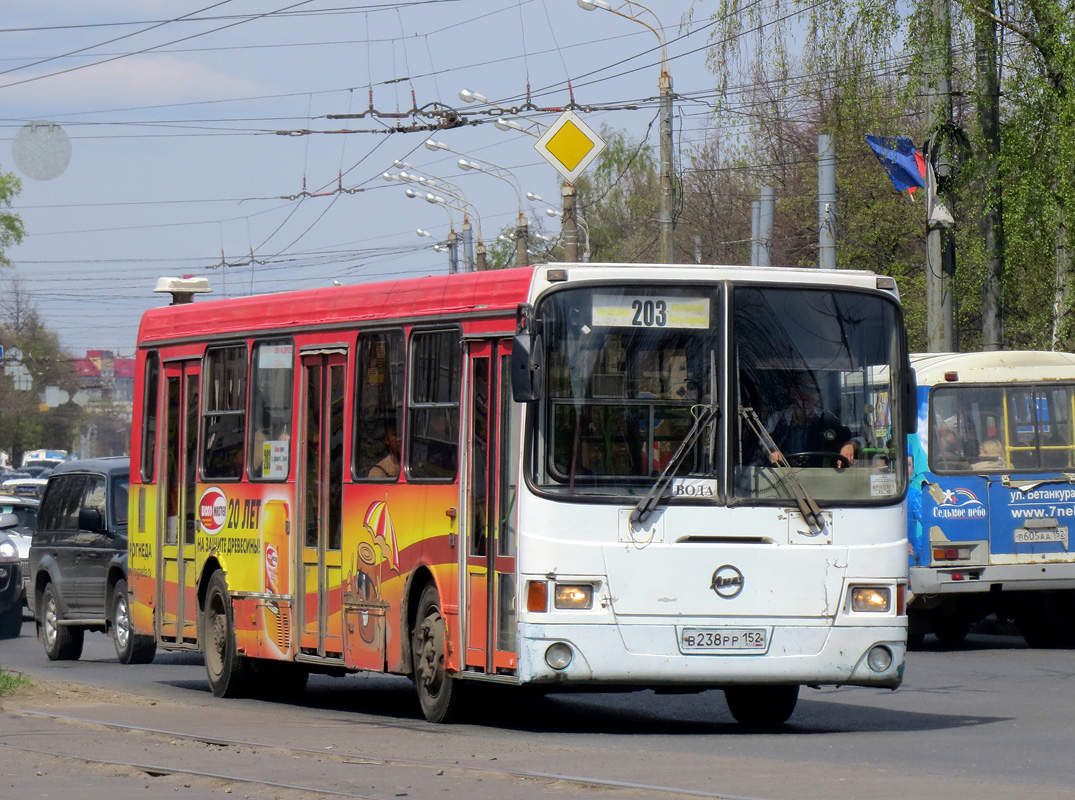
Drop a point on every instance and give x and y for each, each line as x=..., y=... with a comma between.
x=439, y=694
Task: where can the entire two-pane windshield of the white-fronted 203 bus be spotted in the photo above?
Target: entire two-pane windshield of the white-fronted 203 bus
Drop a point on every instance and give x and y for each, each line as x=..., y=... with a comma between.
x=630, y=369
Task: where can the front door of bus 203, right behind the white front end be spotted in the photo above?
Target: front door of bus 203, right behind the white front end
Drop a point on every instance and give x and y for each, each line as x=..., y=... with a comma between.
x=490, y=510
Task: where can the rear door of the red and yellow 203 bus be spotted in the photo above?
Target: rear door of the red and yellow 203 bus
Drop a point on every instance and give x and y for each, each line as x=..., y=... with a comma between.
x=177, y=579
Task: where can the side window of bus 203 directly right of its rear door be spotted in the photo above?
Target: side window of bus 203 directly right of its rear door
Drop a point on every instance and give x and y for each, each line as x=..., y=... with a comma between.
x=225, y=422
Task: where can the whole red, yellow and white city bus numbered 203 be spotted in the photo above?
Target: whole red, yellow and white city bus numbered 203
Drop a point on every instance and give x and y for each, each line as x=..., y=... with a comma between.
x=557, y=478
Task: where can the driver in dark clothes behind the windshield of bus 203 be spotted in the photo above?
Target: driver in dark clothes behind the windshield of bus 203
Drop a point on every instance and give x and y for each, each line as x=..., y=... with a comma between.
x=806, y=433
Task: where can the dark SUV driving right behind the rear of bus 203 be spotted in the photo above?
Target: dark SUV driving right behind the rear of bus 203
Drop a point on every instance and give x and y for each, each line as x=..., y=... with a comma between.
x=79, y=561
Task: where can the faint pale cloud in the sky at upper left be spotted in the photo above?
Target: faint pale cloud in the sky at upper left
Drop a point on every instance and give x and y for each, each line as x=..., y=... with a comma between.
x=134, y=81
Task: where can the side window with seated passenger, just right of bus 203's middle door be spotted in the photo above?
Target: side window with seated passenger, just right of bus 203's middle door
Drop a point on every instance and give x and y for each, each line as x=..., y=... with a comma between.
x=379, y=406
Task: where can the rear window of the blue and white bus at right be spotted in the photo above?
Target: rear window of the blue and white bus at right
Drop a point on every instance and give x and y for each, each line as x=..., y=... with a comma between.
x=1011, y=428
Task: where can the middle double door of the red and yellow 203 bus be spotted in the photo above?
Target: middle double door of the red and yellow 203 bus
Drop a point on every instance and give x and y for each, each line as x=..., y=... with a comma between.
x=321, y=591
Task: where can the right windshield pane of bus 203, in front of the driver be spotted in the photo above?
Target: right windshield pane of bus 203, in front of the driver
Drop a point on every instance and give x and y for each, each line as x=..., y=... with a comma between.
x=819, y=402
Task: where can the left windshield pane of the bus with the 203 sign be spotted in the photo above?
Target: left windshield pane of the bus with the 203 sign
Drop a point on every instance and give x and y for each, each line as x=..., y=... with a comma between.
x=627, y=370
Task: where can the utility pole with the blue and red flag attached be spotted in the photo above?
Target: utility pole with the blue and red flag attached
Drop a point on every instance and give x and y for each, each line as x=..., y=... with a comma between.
x=940, y=244
